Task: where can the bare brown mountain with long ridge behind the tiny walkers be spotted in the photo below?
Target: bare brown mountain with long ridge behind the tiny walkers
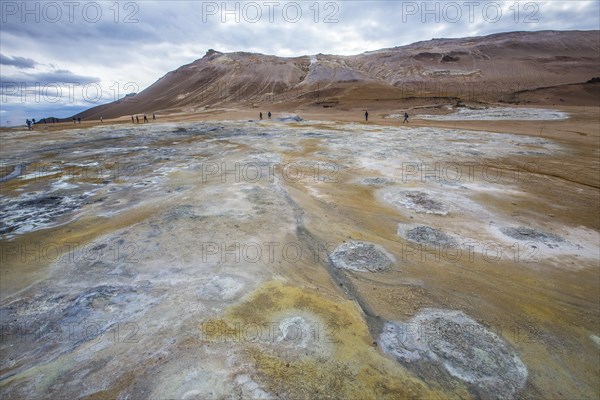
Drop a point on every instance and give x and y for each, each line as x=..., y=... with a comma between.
x=493, y=68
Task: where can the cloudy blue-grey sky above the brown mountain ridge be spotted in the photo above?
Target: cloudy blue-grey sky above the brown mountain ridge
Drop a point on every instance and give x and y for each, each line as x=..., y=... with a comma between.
x=60, y=57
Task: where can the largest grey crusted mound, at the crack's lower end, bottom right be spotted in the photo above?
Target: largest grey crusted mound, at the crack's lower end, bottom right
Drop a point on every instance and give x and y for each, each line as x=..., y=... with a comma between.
x=463, y=347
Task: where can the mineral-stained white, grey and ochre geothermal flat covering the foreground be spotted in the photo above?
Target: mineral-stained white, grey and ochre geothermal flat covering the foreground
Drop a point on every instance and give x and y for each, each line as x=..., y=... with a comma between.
x=299, y=259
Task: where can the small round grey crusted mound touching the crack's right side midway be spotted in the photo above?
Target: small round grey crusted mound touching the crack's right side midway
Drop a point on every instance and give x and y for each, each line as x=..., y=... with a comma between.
x=362, y=257
